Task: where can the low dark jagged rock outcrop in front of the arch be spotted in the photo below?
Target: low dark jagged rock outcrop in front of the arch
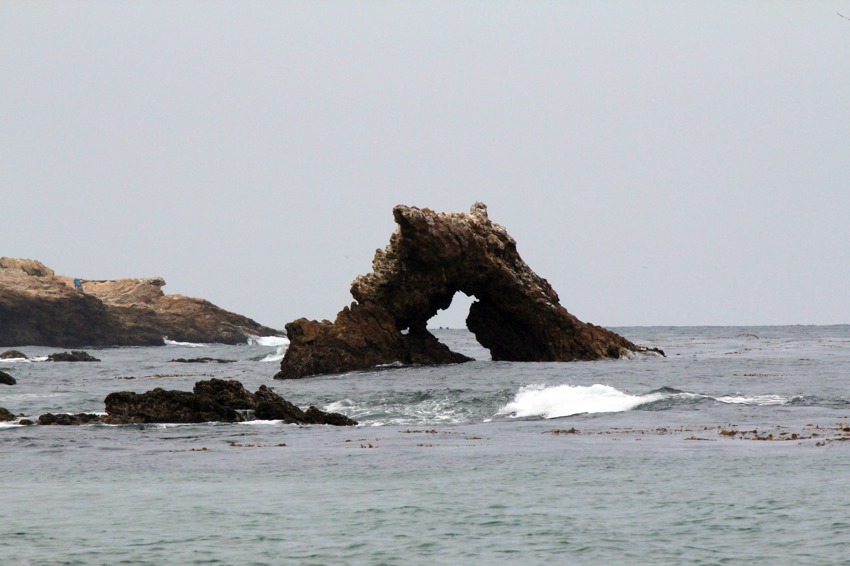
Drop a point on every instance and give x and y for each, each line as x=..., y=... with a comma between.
x=214, y=400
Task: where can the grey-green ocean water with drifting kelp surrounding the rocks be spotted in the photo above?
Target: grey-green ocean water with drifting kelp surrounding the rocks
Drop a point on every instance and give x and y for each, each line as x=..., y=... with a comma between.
x=731, y=450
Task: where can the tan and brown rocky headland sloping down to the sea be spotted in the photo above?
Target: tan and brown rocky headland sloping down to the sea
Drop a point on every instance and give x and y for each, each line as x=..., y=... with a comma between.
x=40, y=308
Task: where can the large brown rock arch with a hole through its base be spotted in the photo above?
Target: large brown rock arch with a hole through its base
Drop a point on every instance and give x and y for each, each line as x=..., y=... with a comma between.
x=430, y=257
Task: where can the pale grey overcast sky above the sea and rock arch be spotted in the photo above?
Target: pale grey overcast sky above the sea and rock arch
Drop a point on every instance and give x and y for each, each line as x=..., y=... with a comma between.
x=680, y=163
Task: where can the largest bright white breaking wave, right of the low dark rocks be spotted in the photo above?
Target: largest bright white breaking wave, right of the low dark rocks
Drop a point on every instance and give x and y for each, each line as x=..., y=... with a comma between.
x=564, y=400
